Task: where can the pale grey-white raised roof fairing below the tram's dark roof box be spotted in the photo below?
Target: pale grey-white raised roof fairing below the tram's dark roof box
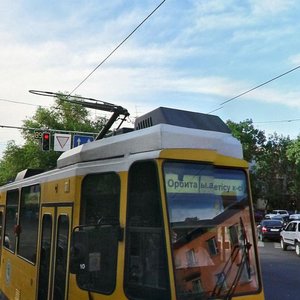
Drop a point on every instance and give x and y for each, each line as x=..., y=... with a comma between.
x=158, y=137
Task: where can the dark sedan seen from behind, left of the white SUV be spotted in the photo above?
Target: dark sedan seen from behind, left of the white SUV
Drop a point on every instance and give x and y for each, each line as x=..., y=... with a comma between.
x=270, y=229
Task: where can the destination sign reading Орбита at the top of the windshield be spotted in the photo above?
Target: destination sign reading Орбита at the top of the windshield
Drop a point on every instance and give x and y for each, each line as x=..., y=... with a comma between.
x=204, y=185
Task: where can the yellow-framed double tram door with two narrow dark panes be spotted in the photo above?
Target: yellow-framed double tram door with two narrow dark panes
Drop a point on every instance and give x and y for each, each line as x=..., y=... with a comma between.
x=54, y=243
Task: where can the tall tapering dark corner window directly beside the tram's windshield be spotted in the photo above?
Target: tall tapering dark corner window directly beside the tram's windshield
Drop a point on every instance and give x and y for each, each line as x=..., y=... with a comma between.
x=146, y=275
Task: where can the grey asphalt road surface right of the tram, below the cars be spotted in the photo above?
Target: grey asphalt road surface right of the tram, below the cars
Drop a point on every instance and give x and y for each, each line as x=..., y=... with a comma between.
x=280, y=271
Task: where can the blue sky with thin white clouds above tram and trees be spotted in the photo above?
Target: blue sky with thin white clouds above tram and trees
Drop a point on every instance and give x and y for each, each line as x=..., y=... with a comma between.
x=190, y=54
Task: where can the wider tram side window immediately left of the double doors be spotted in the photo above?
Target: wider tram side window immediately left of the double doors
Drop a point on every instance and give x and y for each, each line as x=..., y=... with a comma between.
x=28, y=221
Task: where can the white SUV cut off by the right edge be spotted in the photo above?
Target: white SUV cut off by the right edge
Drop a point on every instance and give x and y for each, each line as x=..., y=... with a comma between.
x=290, y=236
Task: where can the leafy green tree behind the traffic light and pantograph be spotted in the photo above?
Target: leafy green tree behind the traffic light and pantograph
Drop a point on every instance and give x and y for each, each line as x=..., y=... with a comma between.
x=62, y=115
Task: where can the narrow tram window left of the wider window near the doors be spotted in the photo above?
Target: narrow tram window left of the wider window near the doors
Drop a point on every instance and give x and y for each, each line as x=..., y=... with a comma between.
x=11, y=218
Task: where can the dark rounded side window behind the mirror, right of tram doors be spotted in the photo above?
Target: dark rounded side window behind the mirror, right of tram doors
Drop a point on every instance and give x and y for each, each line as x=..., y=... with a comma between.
x=106, y=240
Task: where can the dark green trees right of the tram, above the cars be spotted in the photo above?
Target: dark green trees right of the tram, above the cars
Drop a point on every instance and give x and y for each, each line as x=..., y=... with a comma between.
x=272, y=172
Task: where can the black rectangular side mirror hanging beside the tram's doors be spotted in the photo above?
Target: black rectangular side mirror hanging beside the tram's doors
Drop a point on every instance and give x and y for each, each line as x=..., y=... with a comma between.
x=79, y=252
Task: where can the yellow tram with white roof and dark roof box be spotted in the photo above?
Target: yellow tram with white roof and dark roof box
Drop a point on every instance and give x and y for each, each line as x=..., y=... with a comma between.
x=161, y=212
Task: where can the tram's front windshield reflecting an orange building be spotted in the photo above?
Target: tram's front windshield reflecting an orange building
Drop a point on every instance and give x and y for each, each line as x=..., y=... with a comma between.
x=211, y=231
